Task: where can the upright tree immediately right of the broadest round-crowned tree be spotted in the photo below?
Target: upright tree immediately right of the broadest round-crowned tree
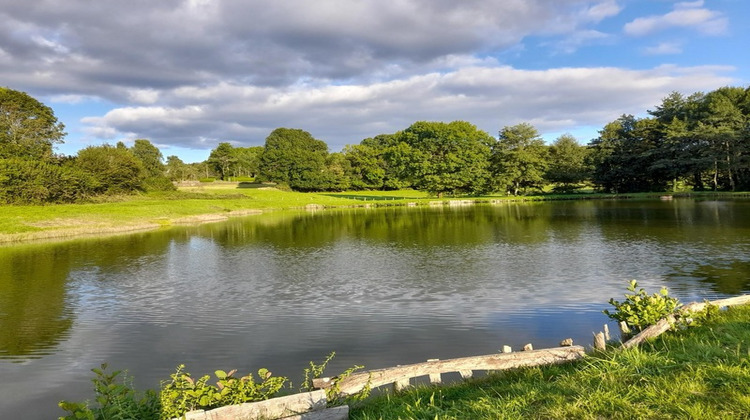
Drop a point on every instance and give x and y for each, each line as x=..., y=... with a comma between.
x=520, y=159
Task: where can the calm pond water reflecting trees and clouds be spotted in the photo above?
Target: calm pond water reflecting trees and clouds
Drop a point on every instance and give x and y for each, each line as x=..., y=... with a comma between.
x=379, y=286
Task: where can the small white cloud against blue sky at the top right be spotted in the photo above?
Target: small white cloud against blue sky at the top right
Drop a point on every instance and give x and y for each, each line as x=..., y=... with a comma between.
x=685, y=15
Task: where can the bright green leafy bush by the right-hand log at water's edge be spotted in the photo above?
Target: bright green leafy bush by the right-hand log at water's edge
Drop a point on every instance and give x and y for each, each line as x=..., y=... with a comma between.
x=639, y=310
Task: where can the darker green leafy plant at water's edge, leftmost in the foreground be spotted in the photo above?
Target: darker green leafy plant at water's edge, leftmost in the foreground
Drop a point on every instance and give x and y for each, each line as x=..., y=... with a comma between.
x=114, y=400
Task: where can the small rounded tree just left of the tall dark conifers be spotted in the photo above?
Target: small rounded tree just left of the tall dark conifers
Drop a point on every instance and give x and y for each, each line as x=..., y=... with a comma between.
x=567, y=163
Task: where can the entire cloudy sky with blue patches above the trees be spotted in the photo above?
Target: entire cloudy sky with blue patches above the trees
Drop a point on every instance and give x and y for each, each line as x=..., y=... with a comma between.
x=189, y=74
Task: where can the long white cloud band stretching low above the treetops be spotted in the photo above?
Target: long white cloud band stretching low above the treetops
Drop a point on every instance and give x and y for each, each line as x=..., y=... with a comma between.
x=491, y=97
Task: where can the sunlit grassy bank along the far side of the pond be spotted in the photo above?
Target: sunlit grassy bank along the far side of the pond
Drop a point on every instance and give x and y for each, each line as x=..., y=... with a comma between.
x=206, y=203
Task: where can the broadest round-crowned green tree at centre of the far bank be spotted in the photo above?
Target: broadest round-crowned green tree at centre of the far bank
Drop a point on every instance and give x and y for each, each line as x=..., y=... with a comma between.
x=446, y=158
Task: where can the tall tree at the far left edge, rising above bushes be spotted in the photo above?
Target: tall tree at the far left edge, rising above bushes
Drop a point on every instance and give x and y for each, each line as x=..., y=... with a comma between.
x=28, y=128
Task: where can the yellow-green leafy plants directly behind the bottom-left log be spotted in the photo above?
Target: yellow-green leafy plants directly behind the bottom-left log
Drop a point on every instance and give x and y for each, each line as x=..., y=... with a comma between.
x=183, y=393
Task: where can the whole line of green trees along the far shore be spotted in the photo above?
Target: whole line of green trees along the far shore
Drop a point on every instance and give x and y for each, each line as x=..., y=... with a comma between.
x=697, y=142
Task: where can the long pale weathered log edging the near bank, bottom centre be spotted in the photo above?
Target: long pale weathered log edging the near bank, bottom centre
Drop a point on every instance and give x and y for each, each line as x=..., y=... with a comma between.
x=375, y=378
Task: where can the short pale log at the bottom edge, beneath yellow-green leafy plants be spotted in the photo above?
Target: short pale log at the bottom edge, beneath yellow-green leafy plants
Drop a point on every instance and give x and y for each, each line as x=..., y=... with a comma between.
x=269, y=409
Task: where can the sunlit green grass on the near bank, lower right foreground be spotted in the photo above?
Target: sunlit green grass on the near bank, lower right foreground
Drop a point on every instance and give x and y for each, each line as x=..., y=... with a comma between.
x=699, y=373
